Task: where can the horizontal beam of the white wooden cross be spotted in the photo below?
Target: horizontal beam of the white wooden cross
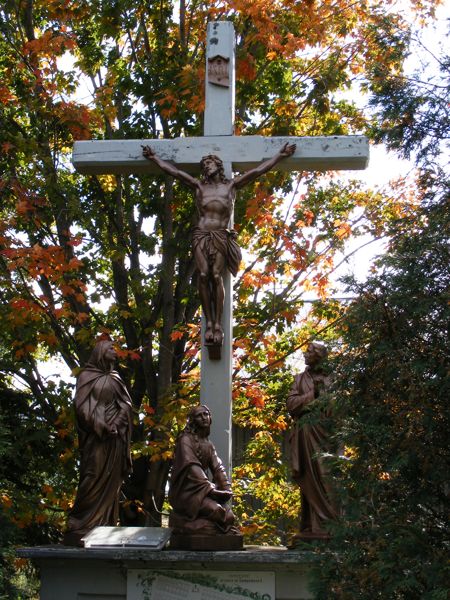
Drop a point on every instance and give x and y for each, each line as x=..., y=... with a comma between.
x=328, y=153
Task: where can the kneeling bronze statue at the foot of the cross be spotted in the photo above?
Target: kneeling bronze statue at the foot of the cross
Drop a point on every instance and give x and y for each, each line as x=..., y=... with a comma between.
x=199, y=505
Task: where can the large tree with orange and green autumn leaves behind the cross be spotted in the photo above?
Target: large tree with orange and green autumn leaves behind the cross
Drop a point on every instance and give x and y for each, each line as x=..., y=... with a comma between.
x=82, y=255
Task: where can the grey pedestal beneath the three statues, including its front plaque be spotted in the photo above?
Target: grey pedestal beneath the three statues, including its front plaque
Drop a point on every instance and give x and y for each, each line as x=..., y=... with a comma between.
x=112, y=573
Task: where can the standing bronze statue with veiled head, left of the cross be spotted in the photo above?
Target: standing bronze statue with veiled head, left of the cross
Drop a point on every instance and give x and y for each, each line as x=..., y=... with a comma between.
x=104, y=420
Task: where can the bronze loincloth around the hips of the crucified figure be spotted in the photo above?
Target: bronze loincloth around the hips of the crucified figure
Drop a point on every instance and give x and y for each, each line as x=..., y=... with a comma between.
x=222, y=241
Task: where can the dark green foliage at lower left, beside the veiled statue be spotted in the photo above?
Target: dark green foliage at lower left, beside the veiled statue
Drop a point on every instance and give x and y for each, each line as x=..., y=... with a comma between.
x=35, y=485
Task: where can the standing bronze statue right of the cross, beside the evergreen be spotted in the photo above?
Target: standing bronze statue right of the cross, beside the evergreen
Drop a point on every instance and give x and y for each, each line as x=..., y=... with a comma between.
x=308, y=442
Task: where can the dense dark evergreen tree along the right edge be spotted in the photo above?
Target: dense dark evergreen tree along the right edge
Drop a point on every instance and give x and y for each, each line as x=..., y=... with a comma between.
x=391, y=416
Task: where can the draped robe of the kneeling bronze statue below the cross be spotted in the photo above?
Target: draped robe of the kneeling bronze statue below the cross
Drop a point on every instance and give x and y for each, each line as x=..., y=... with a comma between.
x=189, y=483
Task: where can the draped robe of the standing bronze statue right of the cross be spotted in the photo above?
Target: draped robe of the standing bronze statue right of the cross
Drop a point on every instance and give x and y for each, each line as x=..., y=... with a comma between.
x=307, y=442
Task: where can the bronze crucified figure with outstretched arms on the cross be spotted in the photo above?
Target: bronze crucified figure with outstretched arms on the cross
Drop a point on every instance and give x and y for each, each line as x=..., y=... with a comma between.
x=214, y=244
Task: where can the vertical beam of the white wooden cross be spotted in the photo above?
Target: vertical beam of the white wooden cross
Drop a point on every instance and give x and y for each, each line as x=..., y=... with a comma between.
x=215, y=385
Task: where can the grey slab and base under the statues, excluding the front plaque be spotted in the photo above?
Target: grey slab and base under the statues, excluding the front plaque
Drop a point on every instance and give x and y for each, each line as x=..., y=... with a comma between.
x=103, y=573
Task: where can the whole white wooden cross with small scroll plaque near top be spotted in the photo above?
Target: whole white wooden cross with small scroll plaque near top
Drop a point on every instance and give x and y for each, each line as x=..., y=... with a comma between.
x=238, y=154
